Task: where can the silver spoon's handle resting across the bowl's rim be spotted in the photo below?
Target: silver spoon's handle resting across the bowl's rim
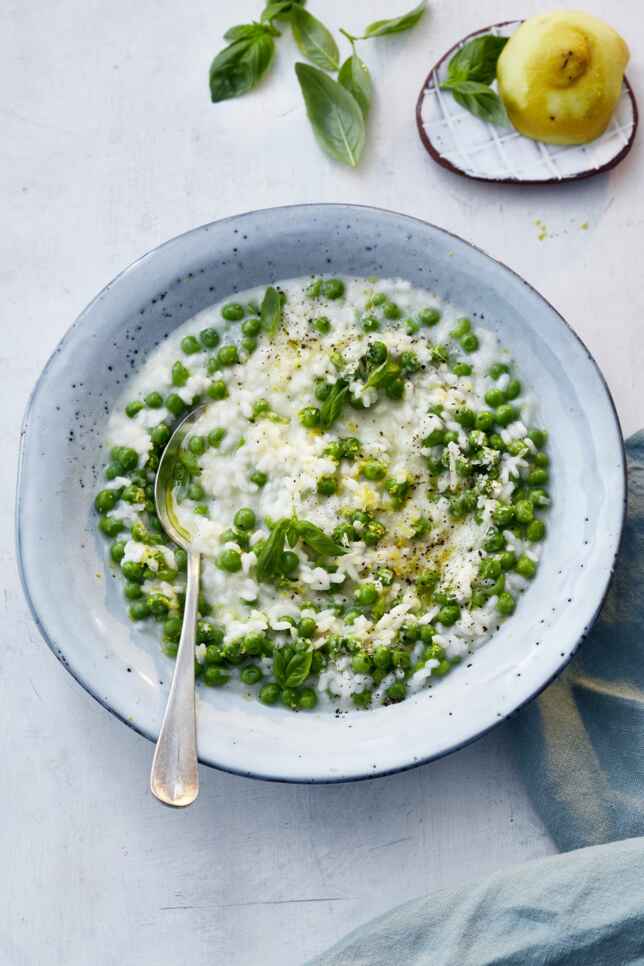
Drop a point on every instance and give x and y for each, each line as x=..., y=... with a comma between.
x=174, y=778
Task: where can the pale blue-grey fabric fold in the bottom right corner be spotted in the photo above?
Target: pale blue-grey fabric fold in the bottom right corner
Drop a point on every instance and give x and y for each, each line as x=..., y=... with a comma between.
x=581, y=909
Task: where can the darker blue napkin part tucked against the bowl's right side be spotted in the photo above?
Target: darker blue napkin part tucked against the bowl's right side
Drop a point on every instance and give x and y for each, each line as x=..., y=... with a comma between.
x=580, y=745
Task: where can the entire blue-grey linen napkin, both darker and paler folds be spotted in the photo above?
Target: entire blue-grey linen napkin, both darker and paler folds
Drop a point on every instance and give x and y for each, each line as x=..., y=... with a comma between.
x=580, y=748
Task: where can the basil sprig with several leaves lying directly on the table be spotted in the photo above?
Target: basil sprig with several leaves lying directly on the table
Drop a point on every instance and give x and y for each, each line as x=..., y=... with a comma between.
x=337, y=108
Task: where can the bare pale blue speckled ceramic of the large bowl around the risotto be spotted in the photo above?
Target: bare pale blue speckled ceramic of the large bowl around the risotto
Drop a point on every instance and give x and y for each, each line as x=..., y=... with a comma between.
x=78, y=606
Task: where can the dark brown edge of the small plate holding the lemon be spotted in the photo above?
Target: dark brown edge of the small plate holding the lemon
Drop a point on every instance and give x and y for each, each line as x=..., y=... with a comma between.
x=444, y=163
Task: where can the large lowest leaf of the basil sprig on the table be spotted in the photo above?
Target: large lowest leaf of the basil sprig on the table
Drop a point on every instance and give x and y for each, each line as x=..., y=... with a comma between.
x=334, y=114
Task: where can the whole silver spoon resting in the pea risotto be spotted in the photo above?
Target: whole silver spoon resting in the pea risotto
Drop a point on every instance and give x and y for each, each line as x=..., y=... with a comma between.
x=174, y=778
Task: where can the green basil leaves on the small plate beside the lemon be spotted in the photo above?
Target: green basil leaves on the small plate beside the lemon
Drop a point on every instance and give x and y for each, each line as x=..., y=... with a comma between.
x=469, y=74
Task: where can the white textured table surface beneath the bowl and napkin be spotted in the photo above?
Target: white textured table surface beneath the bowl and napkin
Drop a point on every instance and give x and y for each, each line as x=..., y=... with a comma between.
x=109, y=147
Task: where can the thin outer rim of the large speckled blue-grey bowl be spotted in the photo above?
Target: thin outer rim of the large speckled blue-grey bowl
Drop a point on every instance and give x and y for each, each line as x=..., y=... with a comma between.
x=90, y=687
